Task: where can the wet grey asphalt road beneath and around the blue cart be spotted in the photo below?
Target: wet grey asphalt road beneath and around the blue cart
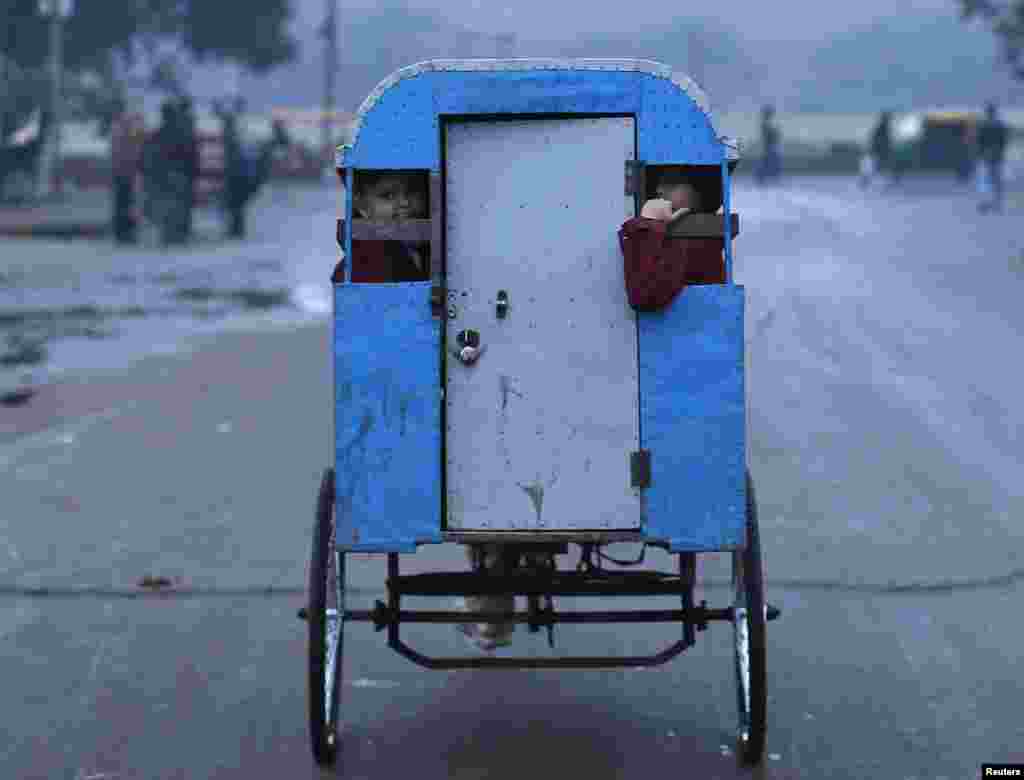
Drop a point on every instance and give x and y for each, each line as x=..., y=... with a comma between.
x=885, y=442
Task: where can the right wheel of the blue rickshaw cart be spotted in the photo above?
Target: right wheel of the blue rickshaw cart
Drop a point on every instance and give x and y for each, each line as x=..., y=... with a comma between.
x=749, y=633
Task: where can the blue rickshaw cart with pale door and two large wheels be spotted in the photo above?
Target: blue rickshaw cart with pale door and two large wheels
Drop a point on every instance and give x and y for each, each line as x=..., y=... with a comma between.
x=574, y=419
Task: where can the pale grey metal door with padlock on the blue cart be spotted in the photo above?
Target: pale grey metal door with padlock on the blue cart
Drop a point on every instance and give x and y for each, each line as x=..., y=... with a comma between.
x=541, y=427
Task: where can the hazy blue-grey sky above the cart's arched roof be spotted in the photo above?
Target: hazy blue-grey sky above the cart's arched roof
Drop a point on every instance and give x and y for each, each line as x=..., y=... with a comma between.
x=800, y=56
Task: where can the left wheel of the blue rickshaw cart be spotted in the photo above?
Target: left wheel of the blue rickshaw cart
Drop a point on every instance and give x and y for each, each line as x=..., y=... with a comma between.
x=326, y=629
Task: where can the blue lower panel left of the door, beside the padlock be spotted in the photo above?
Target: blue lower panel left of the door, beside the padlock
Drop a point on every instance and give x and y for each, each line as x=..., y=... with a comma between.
x=388, y=420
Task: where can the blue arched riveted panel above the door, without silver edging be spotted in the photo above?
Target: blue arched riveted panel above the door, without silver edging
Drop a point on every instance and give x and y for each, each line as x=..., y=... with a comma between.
x=402, y=129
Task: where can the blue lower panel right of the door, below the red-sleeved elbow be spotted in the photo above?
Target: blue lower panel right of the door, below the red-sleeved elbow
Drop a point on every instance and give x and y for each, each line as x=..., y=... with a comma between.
x=693, y=418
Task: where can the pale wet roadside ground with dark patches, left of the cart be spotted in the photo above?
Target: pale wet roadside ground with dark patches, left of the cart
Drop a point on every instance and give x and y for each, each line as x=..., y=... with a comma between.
x=66, y=308
